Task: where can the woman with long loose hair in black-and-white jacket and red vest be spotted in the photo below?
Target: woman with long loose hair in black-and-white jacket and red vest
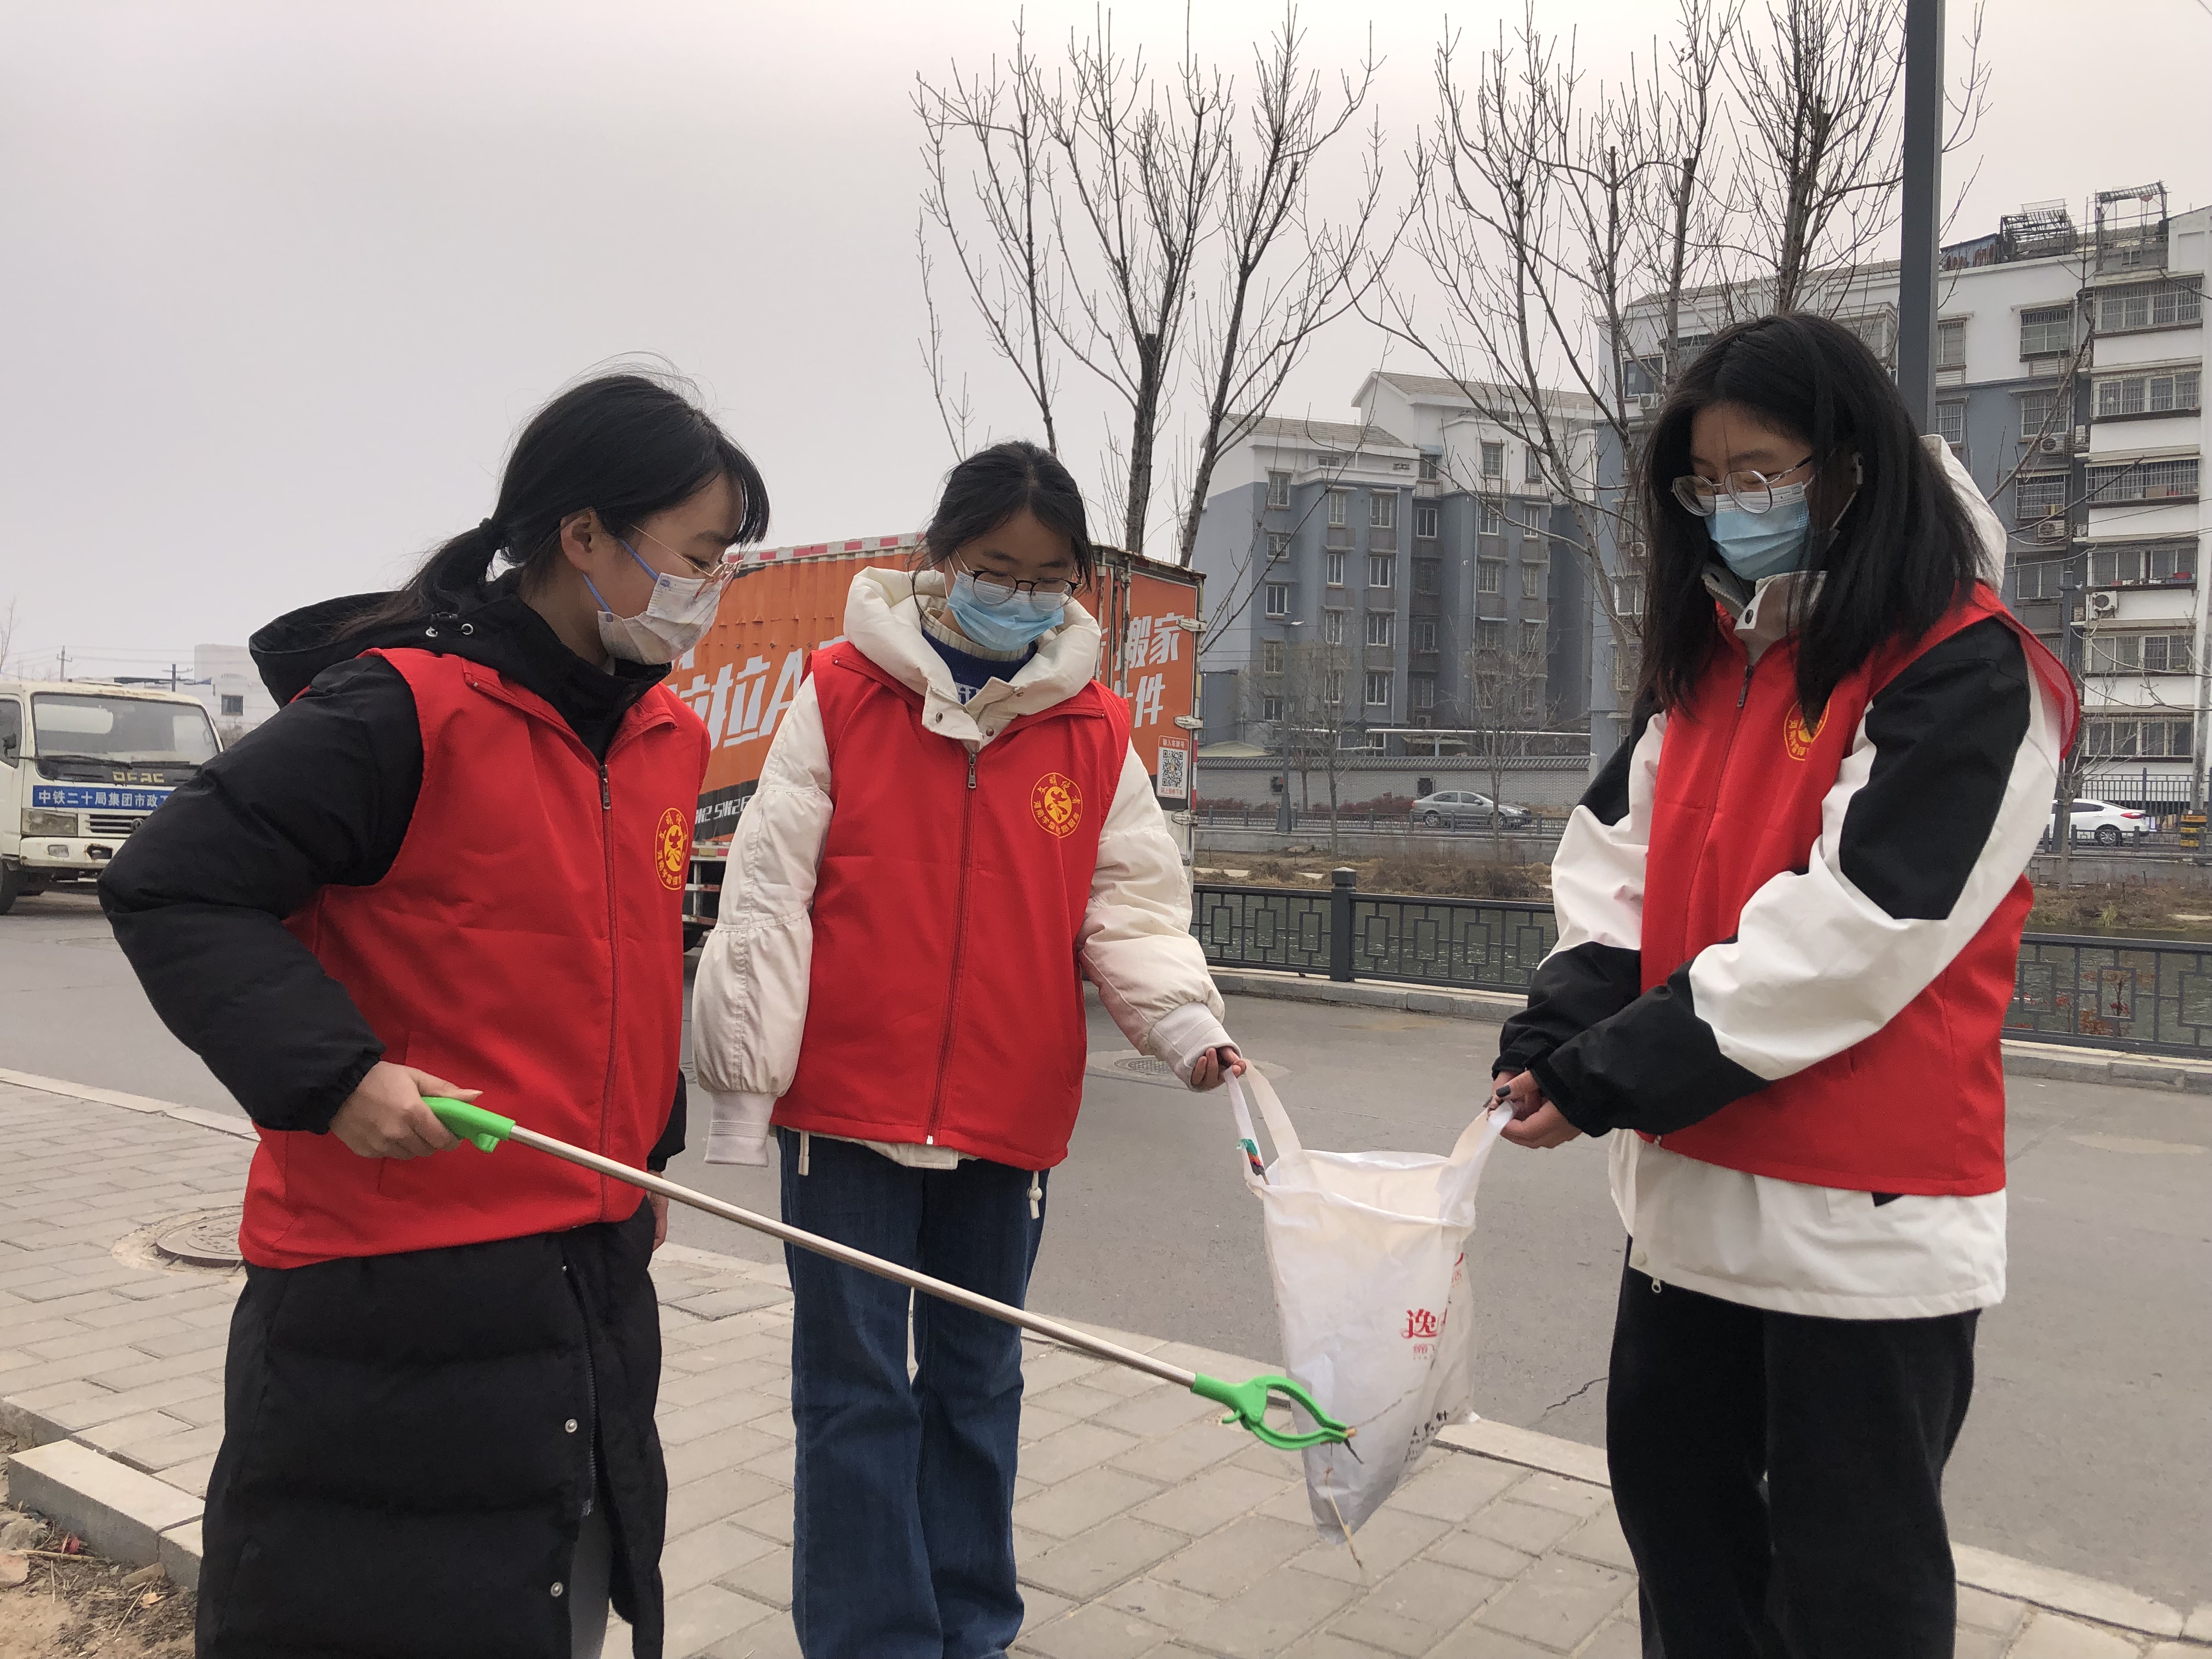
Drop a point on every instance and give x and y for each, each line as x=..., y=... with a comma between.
x=1788, y=919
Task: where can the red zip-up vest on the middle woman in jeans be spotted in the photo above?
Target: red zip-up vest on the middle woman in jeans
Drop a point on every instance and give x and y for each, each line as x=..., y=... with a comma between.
x=946, y=1001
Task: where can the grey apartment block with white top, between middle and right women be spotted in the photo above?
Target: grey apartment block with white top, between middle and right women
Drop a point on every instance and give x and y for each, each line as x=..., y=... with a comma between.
x=1419, y=554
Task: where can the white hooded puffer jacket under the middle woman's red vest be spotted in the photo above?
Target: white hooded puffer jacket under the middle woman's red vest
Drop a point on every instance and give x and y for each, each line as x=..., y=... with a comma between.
x=751, y=999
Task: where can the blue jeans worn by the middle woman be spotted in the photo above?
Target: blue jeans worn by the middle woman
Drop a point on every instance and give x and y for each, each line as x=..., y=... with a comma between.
x=904, y=1523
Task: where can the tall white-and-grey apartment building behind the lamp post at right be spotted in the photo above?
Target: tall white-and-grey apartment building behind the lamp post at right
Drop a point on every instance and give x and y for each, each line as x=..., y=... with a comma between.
x=2072, y=386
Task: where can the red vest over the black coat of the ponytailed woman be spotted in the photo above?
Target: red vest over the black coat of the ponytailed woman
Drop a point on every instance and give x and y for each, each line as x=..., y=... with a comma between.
x=528, y=941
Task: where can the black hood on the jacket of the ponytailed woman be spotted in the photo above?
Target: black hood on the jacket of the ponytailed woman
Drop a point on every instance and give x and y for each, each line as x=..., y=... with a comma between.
x=494, y=629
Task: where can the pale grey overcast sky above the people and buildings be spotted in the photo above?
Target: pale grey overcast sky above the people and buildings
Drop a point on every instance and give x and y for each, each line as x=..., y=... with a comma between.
x=286, y=275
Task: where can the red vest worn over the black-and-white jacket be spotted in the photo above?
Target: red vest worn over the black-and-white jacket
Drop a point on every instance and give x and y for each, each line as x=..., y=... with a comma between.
x=1919, y=1107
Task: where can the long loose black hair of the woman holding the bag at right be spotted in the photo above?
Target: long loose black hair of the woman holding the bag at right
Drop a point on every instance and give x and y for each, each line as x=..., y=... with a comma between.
x=1899, y=556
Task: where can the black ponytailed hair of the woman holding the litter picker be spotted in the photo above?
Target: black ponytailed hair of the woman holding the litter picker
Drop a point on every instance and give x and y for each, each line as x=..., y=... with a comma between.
x=627, y=446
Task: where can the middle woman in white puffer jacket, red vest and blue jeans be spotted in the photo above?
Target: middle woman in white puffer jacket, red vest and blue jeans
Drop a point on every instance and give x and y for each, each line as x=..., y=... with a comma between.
x=950, y=837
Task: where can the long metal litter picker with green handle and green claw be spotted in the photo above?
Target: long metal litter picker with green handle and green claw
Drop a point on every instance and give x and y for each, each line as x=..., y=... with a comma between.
x=1246, y=1401
